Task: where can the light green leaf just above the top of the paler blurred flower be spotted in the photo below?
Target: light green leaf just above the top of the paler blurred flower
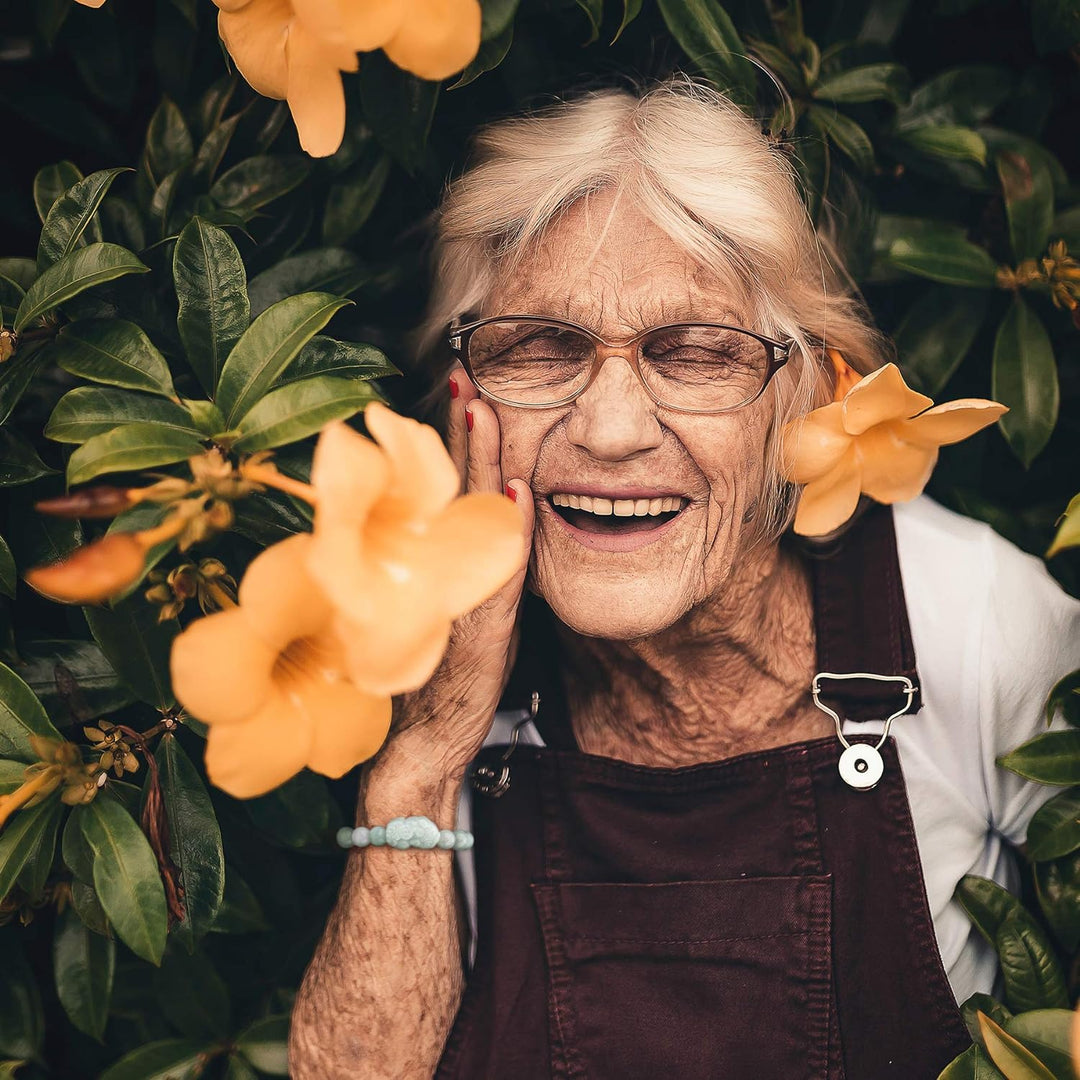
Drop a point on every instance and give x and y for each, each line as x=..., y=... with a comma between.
x=300, y=410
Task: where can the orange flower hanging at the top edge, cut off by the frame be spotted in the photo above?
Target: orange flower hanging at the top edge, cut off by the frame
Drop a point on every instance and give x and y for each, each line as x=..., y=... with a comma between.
x=296, y=50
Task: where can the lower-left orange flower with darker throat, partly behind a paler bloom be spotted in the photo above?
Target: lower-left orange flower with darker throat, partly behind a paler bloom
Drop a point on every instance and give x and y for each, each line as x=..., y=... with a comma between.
x=269, y=679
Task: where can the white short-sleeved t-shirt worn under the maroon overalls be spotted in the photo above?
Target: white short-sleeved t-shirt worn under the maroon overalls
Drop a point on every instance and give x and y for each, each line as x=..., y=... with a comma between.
x=993, y=632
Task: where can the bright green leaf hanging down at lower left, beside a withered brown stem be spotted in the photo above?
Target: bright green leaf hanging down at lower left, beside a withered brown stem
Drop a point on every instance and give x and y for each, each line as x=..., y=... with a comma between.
x=126, y=876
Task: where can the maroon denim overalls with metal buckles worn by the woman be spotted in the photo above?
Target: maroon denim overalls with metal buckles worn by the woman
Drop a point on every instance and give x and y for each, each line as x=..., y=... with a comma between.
x=748, y=919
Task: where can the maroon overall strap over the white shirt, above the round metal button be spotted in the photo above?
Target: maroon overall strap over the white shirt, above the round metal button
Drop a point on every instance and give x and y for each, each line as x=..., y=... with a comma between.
x=861, y=620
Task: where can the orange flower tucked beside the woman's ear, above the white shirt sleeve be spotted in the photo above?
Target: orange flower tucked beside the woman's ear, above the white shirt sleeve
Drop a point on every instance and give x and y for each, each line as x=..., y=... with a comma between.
x=882, y=440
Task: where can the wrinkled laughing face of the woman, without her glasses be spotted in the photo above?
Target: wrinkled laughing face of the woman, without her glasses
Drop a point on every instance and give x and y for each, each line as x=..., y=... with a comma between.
x=606, y=575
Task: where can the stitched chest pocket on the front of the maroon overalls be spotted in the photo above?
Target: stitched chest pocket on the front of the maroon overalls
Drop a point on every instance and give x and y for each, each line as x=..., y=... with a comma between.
x=699, y=980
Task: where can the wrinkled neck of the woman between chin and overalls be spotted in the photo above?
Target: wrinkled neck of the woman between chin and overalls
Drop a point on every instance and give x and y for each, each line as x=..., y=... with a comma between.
x=731, y=677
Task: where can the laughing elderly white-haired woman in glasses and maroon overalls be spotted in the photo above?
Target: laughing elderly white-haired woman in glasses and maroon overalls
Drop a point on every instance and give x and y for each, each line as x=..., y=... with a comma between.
x=680, y=869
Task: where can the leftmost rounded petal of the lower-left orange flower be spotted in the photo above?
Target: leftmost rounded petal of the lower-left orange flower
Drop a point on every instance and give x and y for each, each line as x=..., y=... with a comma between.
x=221, y=669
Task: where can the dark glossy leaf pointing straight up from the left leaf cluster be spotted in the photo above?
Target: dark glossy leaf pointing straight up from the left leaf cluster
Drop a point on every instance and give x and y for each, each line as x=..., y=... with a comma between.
x=212, y=291
